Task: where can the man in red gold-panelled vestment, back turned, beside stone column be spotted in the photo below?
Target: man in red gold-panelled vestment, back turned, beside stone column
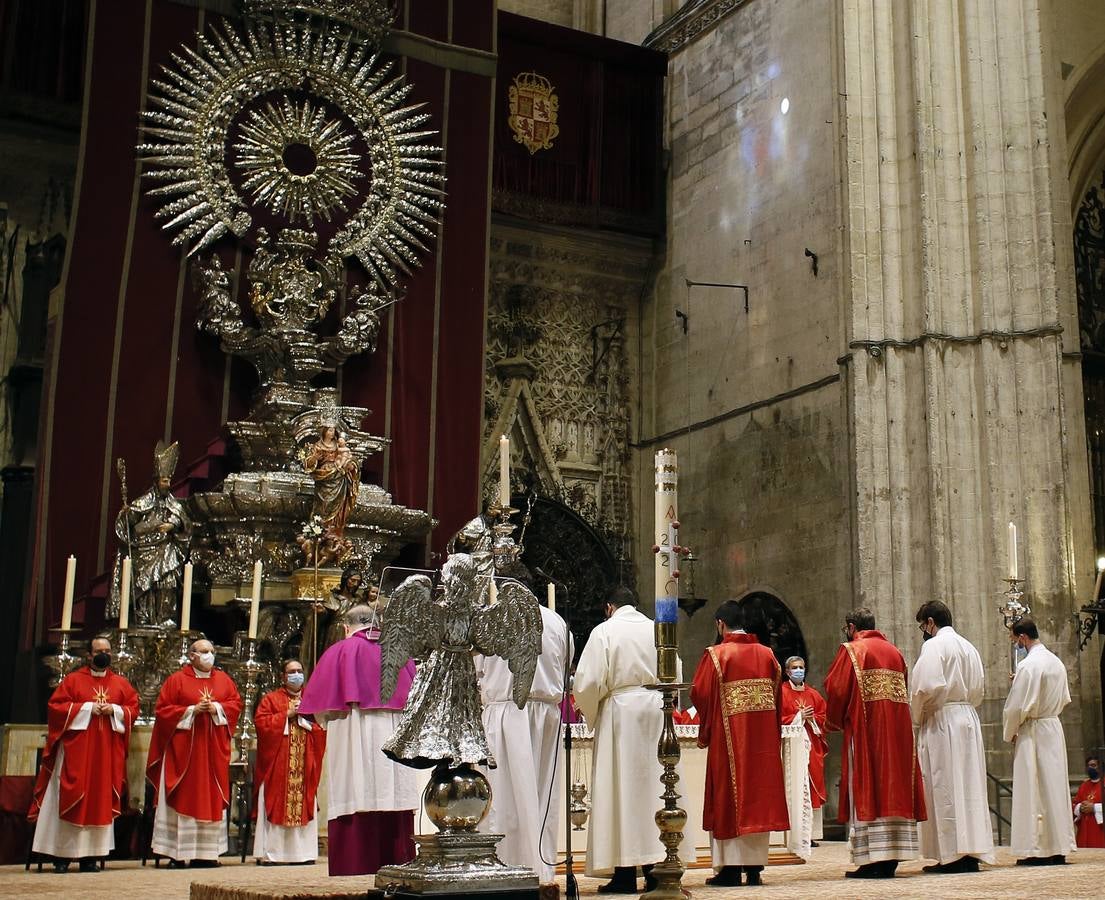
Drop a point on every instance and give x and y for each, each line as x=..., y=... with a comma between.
x=881, y=791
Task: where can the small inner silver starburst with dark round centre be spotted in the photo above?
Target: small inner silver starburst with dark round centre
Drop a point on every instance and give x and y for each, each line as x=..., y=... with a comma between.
x=297, y=162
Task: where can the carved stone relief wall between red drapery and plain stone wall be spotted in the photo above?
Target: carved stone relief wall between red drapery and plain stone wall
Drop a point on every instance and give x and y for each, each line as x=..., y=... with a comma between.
x=557, y=380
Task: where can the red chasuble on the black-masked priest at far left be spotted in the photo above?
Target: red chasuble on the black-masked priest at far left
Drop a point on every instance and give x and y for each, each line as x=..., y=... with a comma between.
x=94, y=769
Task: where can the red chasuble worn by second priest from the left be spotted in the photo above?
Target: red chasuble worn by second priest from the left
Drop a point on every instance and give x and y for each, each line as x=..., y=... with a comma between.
x=197, y=760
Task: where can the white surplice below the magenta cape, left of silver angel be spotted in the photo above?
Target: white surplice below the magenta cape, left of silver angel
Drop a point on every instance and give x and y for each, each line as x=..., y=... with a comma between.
x=360, y=778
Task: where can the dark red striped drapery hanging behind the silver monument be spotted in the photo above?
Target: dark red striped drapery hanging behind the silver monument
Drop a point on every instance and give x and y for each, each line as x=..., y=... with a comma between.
x=131, y=368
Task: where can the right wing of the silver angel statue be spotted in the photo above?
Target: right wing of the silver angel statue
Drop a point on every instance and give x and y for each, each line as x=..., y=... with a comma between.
x=512, y=630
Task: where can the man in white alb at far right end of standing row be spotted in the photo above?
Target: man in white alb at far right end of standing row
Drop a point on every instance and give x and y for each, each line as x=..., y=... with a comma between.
x=1044, y=830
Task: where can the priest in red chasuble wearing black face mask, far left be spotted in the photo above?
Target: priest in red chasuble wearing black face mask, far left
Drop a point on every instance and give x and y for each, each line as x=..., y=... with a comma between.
x=81, y=782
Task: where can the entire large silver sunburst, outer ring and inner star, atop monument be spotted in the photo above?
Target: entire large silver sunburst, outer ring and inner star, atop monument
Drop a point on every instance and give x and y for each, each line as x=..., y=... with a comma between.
x=249, y=114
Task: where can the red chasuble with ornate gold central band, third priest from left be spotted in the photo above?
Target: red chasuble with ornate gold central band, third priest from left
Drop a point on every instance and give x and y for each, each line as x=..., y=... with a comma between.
x=289, y=766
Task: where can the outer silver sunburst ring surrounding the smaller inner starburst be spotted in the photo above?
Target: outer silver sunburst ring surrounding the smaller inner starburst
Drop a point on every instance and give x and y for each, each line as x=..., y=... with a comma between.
x=195, y=106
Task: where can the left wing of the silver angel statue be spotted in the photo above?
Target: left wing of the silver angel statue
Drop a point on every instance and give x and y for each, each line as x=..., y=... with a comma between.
x=413, y=627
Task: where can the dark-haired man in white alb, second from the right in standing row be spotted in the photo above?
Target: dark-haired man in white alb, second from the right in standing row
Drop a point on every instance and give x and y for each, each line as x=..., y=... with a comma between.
x=945, y=689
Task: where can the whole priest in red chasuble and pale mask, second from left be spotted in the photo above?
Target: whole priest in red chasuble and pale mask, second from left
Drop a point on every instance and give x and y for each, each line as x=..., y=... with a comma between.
x=190, y=760
